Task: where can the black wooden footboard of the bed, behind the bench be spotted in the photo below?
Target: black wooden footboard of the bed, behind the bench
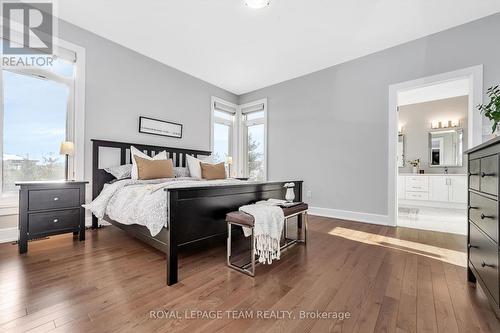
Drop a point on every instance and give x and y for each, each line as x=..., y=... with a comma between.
x=197, y=214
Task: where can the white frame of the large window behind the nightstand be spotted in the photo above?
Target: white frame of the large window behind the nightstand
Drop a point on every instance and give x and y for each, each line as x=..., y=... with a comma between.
x=75, y=120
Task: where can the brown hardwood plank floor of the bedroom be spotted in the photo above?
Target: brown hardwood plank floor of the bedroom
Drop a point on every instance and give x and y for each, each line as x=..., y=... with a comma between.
x=388, y=279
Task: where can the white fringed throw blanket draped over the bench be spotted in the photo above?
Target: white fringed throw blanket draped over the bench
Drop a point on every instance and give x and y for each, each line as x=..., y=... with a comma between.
x=268, y=225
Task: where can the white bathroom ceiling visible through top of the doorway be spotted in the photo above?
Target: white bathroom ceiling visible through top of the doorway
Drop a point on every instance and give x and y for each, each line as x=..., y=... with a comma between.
x=434, y=92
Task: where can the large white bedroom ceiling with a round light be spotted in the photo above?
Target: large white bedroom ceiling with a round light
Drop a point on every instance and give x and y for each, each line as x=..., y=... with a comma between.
x=240, y=49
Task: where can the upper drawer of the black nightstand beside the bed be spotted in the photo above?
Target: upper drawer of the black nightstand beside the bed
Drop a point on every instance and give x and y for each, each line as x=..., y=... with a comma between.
x=53, y=199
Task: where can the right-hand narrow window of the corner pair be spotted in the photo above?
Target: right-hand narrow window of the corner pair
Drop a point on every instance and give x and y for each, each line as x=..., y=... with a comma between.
x=254, y=140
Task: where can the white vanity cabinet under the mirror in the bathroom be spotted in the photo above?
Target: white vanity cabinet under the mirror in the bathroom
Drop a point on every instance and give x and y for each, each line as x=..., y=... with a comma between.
x=433, y=190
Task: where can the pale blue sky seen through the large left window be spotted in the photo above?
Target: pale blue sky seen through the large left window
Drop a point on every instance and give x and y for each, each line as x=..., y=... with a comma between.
x=34, y=113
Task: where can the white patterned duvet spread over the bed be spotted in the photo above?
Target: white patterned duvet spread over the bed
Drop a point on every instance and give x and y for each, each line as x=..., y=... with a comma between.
x=143, y=202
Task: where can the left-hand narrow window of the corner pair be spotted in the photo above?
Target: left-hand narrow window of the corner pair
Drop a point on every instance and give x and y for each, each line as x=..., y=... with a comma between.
x=223, y=114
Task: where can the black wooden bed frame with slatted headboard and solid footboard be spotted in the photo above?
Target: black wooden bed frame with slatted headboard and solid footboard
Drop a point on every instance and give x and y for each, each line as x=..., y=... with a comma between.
x=196, y=214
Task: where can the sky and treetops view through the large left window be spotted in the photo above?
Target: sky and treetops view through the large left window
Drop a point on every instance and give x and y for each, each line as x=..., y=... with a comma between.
x=34, y=125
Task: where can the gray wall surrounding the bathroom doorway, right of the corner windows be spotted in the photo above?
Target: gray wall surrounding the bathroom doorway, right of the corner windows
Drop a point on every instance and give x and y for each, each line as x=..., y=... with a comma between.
x=330, y=128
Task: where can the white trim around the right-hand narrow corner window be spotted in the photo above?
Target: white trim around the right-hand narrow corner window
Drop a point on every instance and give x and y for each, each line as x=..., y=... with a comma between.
x=243, y=170
